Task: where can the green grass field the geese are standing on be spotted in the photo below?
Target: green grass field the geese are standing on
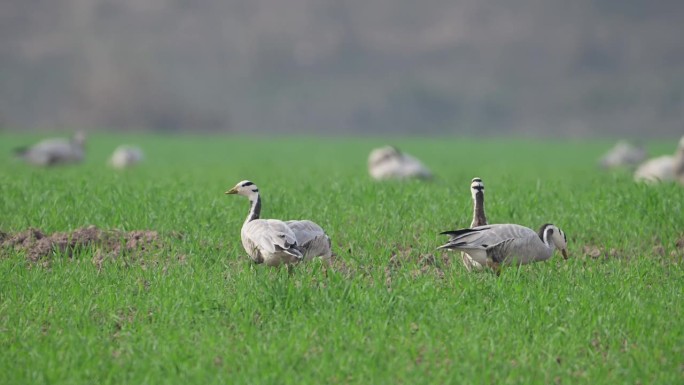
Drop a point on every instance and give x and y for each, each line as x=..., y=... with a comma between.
x=197, y=311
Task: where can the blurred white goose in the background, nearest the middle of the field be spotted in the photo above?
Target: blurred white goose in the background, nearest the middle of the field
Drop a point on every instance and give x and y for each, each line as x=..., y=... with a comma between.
x=390, y=163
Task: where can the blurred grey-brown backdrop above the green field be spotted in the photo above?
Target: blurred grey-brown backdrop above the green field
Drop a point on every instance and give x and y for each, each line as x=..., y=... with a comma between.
x=582, y=67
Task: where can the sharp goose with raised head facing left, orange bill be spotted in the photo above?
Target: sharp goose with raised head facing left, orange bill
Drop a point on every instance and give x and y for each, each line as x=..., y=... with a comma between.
x=268, y=241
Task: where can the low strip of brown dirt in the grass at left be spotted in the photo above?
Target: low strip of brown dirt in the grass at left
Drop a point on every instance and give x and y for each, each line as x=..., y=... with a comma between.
x=37, y=245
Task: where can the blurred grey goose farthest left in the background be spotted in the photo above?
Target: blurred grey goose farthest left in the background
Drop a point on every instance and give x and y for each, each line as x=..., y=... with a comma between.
x=52, y=152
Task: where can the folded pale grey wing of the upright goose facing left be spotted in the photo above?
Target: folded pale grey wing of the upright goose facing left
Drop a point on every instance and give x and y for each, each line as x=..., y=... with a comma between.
x=271, y=235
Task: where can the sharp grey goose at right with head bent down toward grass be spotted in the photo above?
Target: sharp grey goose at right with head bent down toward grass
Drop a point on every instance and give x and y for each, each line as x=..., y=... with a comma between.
x=492, y=245
